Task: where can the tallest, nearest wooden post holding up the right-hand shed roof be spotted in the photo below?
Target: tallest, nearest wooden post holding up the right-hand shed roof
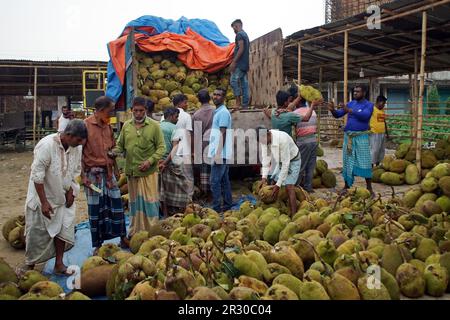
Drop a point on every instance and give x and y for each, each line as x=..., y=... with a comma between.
x=421, y=92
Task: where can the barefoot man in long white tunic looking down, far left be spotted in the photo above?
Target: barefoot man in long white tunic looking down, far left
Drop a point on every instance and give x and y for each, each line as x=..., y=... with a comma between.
x=50, y=207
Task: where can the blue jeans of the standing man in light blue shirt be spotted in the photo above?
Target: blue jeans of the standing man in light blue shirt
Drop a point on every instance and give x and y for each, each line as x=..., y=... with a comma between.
x=221, y=187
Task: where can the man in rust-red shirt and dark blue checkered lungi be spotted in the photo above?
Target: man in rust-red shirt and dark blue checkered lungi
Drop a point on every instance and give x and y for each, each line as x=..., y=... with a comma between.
x=106, y=214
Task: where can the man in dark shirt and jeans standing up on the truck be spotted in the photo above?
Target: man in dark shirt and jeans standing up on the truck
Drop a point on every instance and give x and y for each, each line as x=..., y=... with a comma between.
x=240, y=66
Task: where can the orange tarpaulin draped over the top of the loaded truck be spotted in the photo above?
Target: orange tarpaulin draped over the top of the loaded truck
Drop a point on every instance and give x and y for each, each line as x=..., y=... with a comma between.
x=194, y=51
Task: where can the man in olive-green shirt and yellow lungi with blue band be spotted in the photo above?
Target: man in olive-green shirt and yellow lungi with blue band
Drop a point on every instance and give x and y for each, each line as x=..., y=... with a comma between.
x=141, y=141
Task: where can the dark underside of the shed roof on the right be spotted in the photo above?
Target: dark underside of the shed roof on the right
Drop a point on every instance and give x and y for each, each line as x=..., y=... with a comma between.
x=388, y=51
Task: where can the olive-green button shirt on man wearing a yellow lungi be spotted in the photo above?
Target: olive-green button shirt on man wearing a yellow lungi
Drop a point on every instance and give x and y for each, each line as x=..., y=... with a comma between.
x=139, y=145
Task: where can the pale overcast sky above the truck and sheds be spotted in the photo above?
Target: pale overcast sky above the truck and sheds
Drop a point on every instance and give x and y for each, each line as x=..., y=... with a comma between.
x=80, y=29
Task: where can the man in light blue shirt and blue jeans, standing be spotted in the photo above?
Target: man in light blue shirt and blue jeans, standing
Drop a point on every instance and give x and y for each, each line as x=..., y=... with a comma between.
x=220, y=150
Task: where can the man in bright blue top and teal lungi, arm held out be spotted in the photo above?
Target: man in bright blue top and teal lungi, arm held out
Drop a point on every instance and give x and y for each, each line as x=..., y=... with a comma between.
x=357, y=160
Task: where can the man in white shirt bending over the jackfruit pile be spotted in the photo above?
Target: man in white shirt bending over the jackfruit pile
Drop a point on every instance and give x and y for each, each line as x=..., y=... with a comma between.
x=284, y=157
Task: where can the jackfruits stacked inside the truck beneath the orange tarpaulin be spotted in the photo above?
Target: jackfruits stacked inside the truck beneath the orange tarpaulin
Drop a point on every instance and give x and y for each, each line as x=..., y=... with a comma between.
x=161, y=76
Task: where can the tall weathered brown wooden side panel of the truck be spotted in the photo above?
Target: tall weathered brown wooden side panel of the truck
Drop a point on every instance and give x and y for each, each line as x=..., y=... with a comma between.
x=266, y=68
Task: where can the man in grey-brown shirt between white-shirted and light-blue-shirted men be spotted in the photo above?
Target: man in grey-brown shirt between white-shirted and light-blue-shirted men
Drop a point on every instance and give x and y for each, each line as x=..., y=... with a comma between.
x=202, y=123
